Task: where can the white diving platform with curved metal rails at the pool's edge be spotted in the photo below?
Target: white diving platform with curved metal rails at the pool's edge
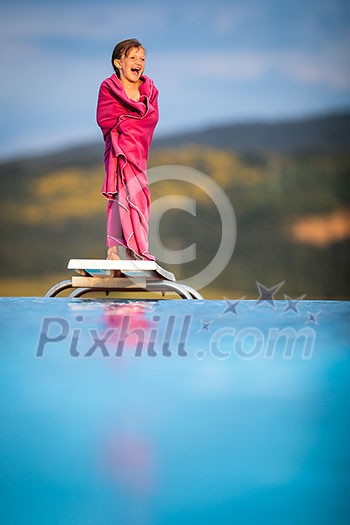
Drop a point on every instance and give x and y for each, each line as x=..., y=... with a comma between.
x=102, y=275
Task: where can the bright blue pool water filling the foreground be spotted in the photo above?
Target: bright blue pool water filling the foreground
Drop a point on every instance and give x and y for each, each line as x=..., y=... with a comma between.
x=211, y=412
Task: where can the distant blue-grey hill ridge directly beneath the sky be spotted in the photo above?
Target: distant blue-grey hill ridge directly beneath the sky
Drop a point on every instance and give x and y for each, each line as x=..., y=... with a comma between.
x=326, y=133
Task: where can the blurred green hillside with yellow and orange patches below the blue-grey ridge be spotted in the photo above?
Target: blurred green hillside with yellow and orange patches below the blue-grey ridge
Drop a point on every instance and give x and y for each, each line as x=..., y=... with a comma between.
x=291, y=212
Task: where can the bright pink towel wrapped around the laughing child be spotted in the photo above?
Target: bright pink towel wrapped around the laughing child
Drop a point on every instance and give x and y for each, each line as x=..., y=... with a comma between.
x=127, y=128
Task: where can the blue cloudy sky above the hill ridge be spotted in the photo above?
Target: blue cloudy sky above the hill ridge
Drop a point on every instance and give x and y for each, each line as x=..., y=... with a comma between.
x=213, y=61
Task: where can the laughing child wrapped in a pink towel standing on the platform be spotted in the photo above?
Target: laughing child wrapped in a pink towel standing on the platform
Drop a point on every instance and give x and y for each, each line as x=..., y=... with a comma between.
x=127, y=113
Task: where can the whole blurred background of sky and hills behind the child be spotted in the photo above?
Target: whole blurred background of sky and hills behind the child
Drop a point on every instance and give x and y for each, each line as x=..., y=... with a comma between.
x=254, y=94
